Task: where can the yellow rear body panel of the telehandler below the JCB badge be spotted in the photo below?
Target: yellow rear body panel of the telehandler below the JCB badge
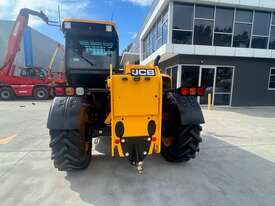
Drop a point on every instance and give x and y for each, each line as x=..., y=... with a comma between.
x=135, y=101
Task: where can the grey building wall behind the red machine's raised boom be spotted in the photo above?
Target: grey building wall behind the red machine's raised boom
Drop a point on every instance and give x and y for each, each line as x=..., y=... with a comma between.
x=42, y=48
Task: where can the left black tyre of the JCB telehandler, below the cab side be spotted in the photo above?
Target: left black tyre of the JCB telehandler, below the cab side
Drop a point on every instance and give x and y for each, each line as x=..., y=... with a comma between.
x=69, y=150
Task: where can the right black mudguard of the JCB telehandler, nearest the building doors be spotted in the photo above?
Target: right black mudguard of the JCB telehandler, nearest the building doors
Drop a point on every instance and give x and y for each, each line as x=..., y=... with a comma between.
x=189, y=109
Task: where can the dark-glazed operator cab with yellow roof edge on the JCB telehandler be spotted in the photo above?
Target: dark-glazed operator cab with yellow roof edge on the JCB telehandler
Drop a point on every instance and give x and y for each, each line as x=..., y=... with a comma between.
x=90, y=48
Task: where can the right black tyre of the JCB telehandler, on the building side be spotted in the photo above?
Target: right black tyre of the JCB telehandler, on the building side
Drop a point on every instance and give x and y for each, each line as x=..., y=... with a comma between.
x=184, y=145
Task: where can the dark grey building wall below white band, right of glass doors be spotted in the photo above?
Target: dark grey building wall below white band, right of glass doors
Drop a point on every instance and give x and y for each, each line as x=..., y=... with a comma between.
x=251, y=77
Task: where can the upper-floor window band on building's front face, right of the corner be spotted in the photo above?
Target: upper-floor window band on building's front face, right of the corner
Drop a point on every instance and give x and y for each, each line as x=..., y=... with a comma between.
x=222, y=26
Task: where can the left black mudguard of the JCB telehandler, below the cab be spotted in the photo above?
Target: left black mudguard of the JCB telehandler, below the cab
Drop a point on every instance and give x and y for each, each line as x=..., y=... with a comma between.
x=64, y=113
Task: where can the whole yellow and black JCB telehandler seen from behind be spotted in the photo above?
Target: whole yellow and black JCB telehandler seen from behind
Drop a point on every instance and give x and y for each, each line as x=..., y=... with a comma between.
x=136, y=107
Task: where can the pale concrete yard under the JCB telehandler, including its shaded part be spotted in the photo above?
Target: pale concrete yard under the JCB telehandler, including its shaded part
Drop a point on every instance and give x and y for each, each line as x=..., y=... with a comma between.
x=236, y=165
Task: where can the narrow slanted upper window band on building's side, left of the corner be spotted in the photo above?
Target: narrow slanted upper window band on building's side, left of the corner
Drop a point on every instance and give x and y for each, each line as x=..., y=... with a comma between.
x=157, y=36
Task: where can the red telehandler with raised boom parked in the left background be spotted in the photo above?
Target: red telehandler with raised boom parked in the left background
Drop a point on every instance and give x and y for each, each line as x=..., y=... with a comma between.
x=14, y=86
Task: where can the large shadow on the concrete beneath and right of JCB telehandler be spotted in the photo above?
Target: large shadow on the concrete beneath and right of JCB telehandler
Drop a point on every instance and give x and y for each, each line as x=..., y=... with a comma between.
x=222, y=175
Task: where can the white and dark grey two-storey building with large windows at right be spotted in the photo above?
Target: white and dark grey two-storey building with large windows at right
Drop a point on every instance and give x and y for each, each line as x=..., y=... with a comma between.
x=226, y=46
